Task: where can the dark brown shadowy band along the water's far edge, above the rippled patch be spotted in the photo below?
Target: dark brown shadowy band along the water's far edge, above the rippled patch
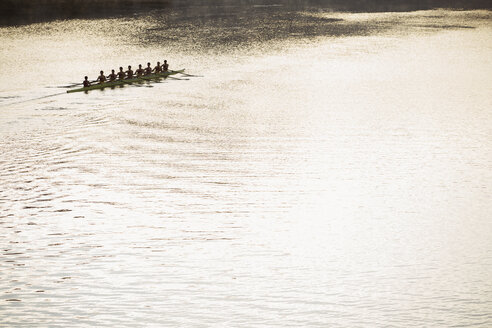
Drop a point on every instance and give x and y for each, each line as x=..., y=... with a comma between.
x=16, y=12
